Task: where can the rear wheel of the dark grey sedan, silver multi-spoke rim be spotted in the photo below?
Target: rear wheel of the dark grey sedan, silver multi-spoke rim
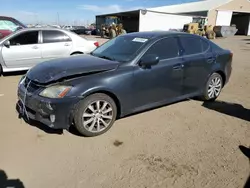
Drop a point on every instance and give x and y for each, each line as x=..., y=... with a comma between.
x=213, y=87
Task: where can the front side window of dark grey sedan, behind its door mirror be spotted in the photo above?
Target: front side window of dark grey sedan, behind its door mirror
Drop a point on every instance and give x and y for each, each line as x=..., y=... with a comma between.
x=165, y=48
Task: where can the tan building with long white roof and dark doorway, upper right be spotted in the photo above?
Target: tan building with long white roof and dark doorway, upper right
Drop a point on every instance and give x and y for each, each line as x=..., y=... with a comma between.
x=218, y=12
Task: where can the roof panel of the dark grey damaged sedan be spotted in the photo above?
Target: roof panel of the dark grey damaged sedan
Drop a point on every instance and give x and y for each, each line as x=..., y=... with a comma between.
x=156, y=34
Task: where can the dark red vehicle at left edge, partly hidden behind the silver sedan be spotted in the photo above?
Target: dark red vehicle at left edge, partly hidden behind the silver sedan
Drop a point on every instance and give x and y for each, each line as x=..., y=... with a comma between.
x=9, y=25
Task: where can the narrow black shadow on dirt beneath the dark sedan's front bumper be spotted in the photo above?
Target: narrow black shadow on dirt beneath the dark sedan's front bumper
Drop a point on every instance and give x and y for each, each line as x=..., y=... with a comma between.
x=38, y=125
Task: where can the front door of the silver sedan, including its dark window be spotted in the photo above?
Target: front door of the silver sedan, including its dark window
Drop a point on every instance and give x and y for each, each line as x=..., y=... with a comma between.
x=24, y=50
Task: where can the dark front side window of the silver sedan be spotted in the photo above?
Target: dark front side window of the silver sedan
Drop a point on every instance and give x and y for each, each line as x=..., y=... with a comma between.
x=27, y=38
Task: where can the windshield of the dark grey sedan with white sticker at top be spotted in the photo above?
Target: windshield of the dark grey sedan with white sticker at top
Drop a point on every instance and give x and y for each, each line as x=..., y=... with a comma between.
x=123, y=48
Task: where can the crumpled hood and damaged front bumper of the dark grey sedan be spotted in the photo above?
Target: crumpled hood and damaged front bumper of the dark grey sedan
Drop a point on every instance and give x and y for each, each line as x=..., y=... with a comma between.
x=75, y=68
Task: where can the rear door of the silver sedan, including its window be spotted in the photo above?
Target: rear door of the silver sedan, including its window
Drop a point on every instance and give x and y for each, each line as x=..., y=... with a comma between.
x=55, y=44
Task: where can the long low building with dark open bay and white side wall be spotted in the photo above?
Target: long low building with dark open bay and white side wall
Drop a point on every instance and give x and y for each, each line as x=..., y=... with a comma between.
x=145, y=20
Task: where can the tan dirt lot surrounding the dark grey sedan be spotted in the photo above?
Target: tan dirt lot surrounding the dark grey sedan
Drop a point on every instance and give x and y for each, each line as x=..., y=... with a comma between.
x=187, y=144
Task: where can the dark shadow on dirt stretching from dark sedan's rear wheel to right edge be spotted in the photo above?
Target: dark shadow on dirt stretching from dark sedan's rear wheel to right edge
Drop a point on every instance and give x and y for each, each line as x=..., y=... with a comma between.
x=231, y=109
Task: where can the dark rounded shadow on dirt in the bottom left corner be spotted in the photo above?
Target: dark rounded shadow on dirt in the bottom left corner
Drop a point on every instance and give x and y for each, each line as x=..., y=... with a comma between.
x=7, y=183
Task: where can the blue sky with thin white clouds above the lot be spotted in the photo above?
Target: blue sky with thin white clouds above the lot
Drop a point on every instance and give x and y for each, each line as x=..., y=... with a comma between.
x=70, y=11
